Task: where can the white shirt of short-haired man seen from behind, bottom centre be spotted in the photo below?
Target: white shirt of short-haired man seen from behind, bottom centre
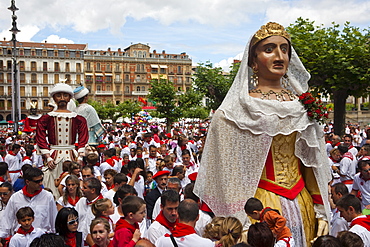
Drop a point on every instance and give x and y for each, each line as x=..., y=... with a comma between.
x=185, y=241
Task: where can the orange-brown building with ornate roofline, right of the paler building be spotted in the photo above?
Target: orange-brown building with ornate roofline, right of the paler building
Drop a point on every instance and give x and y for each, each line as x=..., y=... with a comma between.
x=122, y=75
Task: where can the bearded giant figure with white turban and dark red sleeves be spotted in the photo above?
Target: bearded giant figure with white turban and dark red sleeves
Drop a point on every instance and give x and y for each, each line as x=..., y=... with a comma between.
x=56, y=134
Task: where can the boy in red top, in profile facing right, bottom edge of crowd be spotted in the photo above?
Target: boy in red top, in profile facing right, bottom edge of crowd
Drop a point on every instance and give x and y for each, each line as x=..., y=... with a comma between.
x=127, y=231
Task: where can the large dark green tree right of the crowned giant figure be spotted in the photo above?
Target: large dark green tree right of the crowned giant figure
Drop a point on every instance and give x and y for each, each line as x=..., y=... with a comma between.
x=337, y=59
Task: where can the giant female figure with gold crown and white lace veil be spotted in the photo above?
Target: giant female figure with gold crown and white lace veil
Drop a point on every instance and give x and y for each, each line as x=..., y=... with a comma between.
x=261, y=142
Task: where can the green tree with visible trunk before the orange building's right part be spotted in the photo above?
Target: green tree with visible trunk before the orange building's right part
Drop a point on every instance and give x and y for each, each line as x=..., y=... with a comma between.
x=163, y=92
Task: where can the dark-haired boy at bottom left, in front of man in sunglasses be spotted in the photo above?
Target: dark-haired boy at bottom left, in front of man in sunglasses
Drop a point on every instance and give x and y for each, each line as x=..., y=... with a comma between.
x=26, y=233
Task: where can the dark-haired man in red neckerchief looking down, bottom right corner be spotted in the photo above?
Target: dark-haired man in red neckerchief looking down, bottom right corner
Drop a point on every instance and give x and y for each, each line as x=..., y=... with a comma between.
x=350, y=209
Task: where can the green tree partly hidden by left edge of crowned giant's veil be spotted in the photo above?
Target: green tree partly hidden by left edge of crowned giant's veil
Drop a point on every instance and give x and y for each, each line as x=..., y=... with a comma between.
x=213, y=83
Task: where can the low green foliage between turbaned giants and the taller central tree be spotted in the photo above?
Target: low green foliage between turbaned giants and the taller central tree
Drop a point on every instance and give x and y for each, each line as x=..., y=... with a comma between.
x=111, y=111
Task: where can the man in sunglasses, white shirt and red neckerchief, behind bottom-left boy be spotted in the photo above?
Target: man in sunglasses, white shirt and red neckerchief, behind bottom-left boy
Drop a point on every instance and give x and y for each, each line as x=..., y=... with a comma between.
x=32, y=195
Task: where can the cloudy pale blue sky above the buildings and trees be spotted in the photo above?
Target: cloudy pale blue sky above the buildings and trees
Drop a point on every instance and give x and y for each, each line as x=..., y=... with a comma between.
x=207, y=30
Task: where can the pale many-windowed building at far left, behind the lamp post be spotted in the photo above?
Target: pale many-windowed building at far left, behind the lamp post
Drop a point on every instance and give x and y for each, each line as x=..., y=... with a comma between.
x=40, y=66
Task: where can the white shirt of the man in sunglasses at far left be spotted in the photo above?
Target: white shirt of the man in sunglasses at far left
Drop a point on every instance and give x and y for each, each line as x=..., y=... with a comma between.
x=42, y=204
